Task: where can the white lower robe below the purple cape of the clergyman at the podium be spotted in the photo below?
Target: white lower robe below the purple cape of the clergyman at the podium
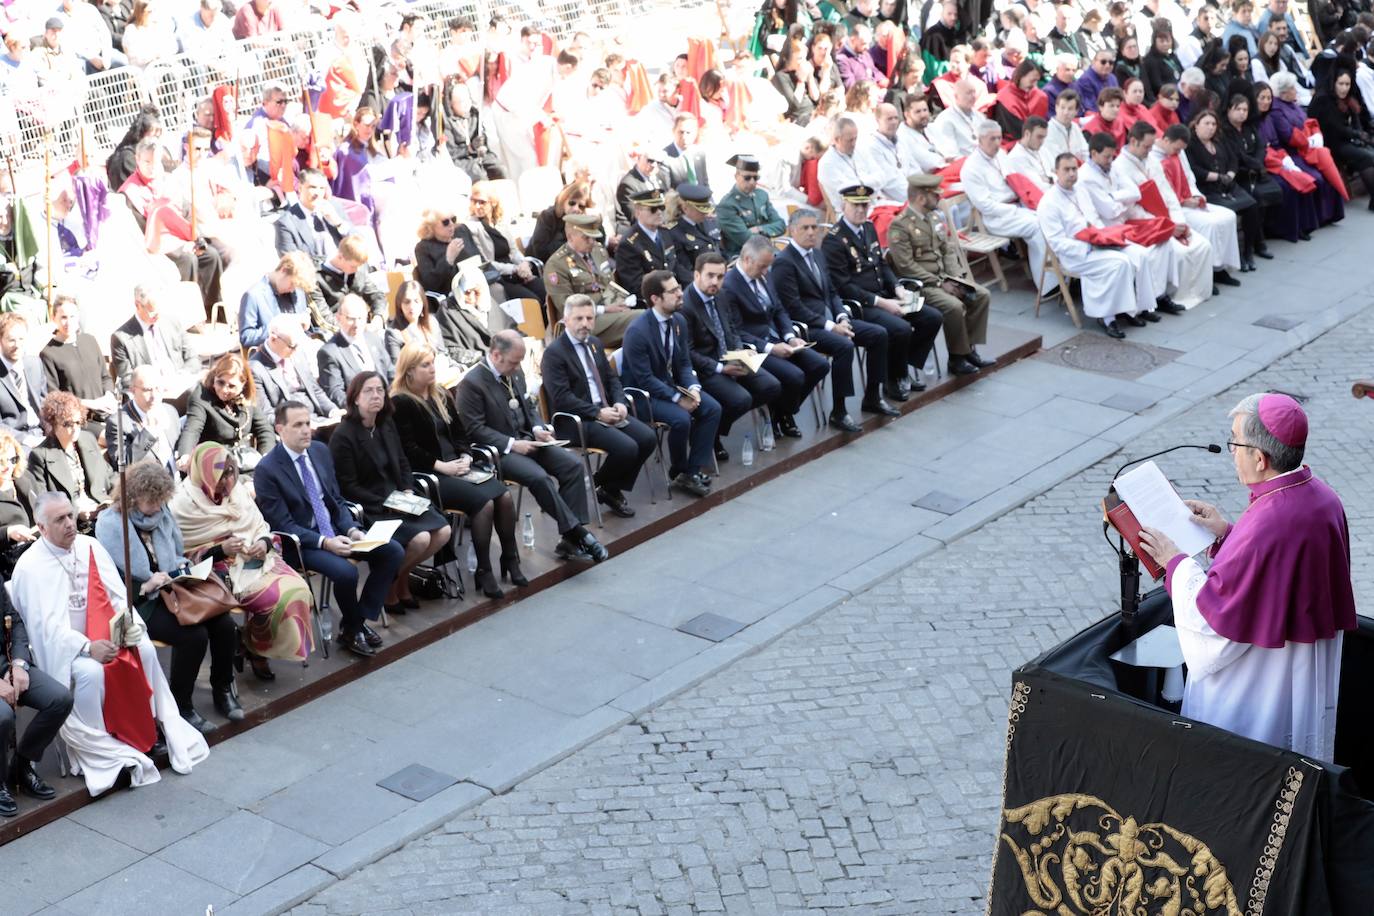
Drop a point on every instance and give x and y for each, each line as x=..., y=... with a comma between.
x=1283, y=697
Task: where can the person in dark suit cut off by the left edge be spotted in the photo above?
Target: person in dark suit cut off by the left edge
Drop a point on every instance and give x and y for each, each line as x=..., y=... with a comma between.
x=21, y=685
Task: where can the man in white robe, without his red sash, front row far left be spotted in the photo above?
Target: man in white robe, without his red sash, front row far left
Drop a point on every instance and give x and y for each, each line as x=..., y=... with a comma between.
x=50, y=588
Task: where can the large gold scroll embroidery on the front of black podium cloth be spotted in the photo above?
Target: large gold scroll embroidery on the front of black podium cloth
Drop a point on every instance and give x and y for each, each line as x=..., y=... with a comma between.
x=1079, y=856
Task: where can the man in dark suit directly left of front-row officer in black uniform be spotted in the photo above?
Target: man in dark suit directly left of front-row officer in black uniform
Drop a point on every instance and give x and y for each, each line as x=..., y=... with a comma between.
x=804, y=289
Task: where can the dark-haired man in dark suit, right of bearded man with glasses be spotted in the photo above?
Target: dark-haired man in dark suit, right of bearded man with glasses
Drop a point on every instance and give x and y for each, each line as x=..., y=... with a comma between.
x=733, y=385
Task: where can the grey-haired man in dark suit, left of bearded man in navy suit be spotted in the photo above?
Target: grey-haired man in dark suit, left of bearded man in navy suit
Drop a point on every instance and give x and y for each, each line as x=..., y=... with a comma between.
x=579, y=381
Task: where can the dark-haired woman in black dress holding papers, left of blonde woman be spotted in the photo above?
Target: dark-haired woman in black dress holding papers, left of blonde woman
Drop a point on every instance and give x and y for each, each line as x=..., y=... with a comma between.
x=370, y=463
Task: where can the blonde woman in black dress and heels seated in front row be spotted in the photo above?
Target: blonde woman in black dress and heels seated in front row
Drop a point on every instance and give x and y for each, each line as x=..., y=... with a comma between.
x=432, y=437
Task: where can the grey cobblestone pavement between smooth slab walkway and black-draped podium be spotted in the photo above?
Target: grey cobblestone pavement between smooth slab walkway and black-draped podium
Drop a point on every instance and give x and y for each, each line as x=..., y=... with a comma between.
x=853, y=767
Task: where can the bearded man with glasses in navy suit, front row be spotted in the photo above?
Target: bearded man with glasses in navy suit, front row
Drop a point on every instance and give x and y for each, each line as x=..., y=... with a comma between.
x=656, y=358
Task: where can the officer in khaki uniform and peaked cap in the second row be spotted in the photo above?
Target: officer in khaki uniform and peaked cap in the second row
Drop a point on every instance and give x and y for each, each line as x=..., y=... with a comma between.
x=583, y=266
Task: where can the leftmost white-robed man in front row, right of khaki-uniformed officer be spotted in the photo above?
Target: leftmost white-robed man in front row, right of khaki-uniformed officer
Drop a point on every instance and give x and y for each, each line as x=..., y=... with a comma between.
x=1115, y=281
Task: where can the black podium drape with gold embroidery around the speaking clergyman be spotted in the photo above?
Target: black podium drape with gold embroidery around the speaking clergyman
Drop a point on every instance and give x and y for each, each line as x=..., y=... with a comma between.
x=1114, y=805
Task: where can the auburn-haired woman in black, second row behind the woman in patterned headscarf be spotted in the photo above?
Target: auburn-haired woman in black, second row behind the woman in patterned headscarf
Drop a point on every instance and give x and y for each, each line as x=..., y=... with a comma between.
x=225, y=410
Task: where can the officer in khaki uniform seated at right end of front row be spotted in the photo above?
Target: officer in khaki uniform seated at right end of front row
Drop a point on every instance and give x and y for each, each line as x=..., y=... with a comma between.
x=923, y=249
